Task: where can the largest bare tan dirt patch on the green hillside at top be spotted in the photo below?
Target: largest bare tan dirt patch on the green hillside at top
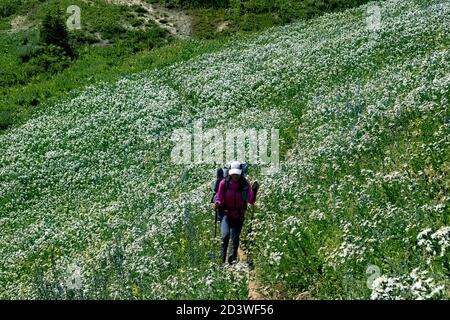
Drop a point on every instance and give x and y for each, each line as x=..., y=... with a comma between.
x=177, y=22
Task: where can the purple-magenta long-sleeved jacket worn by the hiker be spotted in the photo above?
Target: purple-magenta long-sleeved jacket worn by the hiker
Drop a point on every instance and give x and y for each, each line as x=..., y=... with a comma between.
x=231, y=199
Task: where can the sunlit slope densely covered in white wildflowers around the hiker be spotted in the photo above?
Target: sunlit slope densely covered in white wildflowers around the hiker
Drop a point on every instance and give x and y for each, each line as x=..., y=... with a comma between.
x=88, y=183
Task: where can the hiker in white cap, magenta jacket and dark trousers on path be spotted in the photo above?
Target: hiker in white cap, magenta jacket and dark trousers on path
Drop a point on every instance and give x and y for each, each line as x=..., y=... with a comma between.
x=233, y=195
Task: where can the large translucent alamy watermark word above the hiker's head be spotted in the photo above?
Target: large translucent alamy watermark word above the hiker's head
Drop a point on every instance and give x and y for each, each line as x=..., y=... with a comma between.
x=212, y=146
